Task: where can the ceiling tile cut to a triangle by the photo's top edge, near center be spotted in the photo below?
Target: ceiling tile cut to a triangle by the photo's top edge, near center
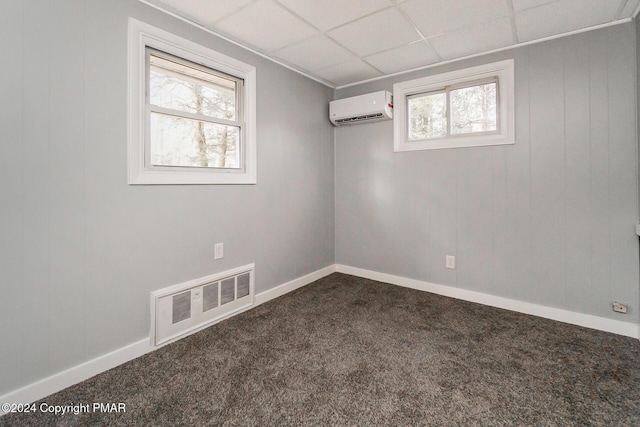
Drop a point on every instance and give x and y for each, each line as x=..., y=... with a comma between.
x=327, y=14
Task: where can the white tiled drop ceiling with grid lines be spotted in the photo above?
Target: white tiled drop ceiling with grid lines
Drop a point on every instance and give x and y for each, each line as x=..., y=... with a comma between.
x=342, y=42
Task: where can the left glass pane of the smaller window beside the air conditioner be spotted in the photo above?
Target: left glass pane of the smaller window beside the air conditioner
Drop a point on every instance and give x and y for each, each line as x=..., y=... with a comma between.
x=428, y=116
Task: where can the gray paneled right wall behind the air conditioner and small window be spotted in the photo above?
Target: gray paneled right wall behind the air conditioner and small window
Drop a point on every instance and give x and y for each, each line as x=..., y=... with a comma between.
x=549, y=220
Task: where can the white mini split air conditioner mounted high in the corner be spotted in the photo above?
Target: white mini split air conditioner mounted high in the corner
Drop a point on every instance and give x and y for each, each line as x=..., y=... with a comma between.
x=372, y=107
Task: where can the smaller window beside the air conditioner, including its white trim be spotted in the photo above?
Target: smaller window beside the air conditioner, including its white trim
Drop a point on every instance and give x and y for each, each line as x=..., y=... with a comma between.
x=471, y=107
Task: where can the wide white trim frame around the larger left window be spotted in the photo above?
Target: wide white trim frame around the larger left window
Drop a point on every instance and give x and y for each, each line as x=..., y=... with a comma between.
x=142, y=35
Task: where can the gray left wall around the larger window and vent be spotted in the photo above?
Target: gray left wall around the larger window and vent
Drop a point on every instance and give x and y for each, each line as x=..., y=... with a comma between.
x=81, y=250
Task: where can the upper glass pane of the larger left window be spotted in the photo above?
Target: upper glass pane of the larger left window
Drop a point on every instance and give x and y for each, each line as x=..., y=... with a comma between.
x=183, y=88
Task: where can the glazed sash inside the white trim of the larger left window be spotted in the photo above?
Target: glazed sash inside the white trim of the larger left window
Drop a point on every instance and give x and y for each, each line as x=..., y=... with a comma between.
x=193, y=115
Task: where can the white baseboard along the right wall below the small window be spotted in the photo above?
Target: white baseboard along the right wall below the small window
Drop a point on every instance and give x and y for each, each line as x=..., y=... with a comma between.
x=565, y=316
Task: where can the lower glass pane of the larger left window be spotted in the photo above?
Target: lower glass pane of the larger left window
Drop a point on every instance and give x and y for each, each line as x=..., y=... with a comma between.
x=177, y=141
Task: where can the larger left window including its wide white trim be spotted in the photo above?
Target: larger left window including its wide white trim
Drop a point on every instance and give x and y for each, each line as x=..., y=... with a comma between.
x=192, y=112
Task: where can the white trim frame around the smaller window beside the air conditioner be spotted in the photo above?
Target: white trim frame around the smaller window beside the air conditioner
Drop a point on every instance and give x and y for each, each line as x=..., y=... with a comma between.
x=503, y=70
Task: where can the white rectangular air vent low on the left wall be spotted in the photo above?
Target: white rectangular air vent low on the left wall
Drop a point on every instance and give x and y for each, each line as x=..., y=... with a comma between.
x=181, y=309
